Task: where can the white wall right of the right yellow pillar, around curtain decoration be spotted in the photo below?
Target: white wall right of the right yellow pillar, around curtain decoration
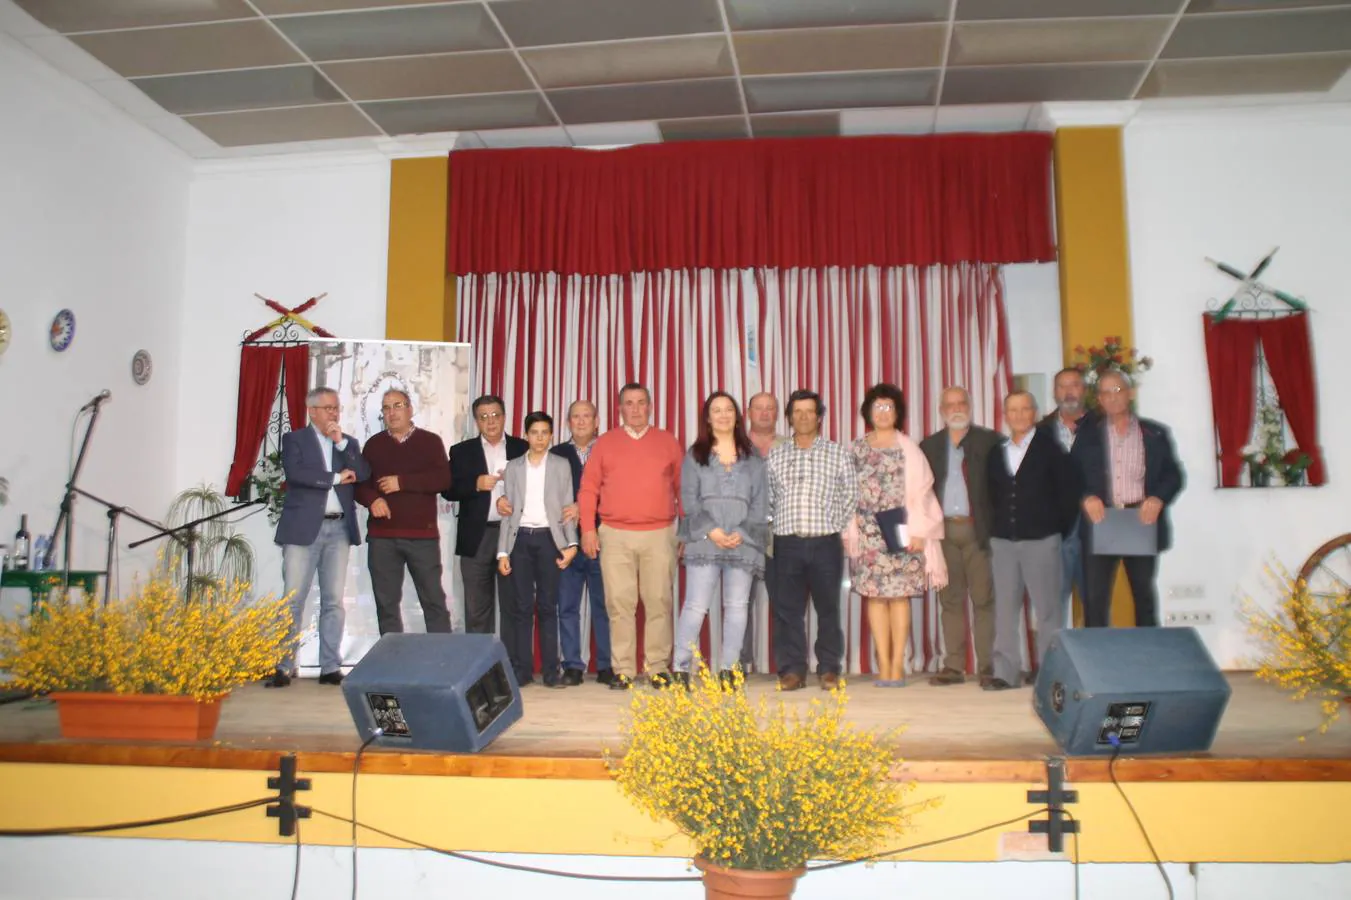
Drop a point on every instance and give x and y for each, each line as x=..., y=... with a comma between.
x=1231, y=186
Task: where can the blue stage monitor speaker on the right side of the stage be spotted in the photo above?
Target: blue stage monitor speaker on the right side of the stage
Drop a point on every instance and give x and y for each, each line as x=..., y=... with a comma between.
x=1150, y=690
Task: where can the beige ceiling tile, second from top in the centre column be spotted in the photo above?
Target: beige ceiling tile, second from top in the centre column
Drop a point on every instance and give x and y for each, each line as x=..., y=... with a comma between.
x=632, y=61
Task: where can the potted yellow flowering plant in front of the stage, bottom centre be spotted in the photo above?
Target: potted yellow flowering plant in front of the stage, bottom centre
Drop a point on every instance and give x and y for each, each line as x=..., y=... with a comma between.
x=760, y=789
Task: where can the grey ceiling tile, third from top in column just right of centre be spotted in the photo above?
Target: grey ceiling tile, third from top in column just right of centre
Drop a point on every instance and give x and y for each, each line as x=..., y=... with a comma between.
x=842, y=91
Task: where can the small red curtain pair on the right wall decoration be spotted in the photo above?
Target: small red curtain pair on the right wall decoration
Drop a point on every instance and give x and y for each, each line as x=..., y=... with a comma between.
x=1231, y=349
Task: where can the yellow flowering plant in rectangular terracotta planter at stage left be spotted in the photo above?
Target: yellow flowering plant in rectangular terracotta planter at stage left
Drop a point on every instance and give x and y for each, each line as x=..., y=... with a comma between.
x=151, y=667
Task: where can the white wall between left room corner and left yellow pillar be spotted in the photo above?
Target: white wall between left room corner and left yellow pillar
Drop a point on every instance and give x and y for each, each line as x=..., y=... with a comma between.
x=290, y=230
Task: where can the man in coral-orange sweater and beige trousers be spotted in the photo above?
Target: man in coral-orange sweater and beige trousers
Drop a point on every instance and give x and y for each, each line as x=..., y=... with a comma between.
x=633, y=480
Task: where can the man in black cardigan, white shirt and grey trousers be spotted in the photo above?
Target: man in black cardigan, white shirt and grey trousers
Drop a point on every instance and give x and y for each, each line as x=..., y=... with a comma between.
x=1034, y=495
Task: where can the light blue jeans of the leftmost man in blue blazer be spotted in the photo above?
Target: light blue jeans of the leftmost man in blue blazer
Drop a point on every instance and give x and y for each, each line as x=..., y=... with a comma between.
x=328, y=557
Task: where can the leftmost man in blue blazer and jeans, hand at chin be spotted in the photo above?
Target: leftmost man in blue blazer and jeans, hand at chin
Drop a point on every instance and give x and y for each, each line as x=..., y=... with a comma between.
x=318, y=528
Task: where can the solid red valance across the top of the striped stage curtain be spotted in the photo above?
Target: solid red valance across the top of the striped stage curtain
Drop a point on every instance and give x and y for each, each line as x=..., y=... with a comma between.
x=737, y=205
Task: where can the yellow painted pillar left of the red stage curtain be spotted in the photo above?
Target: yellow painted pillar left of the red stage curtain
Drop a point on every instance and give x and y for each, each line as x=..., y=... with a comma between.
x=421, y=297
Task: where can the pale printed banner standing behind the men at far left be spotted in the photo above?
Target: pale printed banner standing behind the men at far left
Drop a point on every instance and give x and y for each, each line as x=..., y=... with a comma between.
x=437, y=378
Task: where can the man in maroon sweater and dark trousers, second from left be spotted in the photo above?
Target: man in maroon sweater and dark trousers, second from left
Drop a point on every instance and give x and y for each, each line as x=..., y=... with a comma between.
x=407, y=472
